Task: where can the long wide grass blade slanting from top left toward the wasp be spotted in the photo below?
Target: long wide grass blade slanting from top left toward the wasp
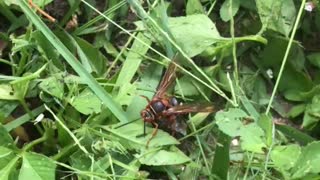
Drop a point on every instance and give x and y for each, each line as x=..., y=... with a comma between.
x=74, y=63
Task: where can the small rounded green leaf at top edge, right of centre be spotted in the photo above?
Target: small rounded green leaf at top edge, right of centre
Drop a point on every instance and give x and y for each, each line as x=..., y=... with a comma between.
x=226, y=13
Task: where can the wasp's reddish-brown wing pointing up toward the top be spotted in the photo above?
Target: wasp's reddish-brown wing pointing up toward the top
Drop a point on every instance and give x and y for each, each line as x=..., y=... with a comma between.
x=167, y=79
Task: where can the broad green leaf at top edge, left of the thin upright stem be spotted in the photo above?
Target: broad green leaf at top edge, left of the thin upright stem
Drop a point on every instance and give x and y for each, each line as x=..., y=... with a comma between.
x=277, y=15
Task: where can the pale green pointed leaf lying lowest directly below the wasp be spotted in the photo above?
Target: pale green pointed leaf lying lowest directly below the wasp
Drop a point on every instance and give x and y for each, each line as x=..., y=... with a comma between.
x=173, y=156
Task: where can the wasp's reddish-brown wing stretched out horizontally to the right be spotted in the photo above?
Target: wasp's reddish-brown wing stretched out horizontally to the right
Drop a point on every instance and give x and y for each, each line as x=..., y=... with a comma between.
x=189, y=108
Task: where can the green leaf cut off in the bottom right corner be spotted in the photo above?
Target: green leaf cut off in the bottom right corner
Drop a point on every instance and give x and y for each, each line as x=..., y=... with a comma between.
x=308, y=162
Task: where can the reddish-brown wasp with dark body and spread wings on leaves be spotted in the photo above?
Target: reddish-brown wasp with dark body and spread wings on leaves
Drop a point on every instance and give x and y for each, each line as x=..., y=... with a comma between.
x=162, y=111
